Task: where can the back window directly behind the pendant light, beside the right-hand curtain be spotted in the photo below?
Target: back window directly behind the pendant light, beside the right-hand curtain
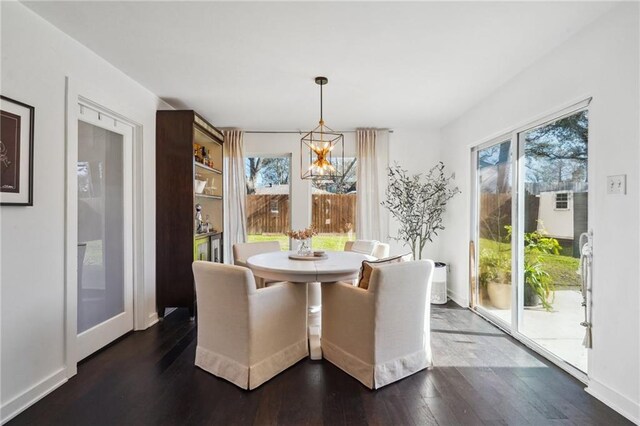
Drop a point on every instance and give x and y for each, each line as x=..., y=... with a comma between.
x=333, y=208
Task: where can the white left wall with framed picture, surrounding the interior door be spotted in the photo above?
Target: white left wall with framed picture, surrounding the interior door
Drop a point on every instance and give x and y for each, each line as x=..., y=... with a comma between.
x=36, y=57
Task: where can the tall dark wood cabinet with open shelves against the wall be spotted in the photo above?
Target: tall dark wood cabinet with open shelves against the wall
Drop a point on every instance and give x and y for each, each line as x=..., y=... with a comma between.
x=189, y=171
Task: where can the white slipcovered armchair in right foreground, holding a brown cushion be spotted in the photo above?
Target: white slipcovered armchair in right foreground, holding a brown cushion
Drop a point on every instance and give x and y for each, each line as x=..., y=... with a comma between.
x=382, y=334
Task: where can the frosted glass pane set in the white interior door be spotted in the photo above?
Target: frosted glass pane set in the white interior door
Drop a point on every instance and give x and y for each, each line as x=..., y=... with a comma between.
x=100, y=225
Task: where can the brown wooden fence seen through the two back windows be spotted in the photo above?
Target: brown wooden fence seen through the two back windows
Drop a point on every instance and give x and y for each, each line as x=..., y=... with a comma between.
x=331, y=213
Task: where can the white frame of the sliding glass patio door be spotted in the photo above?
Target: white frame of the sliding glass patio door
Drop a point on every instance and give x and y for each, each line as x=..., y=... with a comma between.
x=517, y=239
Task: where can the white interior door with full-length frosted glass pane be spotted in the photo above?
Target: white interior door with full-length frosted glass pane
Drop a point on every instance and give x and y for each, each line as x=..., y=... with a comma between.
x=105, y=230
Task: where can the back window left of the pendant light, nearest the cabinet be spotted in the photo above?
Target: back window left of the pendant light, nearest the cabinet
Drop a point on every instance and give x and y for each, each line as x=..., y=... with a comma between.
x=268, y=198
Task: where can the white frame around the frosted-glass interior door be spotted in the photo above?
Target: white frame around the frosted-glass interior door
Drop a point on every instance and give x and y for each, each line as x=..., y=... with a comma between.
x=73, y=98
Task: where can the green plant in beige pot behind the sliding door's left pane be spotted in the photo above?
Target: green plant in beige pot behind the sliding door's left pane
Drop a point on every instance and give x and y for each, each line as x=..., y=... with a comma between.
x=494, y=275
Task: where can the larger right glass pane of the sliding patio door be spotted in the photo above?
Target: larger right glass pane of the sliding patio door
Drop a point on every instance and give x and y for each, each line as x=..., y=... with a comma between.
x=554, y=192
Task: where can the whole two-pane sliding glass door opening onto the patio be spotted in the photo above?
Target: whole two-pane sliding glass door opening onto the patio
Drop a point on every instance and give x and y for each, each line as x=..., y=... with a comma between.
x=531, y=192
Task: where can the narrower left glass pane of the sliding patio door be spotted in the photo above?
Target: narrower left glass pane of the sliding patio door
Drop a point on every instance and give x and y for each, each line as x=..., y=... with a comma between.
x=494, y=184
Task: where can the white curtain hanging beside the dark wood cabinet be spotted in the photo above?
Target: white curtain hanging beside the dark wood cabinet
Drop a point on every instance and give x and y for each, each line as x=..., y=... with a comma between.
x=235, y=219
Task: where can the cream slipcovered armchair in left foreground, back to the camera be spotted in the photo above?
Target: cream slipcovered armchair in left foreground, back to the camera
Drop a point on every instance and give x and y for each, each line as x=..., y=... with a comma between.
x=247, y=335
